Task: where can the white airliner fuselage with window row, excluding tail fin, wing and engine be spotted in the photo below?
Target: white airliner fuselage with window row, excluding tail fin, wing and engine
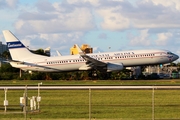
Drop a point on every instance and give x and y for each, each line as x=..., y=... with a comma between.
x=75, y=62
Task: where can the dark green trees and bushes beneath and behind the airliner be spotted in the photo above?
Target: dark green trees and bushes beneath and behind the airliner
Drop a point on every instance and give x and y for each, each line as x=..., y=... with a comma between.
x=7, y=72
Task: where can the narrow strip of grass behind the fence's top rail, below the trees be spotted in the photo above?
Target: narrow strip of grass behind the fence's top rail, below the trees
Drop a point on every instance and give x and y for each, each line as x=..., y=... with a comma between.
x=92, y=82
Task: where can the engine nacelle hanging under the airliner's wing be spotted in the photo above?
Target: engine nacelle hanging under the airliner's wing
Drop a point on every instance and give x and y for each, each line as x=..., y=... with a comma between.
x=114, y=67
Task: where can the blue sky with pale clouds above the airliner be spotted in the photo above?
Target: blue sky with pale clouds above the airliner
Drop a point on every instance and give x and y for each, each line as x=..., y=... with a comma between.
x=106, y=25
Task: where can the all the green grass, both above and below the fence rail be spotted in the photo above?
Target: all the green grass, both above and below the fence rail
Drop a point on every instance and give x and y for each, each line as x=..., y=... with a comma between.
x=105, y=104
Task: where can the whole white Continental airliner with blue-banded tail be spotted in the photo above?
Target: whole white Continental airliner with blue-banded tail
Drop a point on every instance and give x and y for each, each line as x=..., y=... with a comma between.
x=106, y=62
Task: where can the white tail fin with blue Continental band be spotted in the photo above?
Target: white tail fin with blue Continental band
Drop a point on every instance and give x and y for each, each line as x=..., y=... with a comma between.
x=17, y=50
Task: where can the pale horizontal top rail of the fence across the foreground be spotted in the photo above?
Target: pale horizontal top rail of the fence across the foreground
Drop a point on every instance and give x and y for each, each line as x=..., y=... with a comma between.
x=60, y=87
